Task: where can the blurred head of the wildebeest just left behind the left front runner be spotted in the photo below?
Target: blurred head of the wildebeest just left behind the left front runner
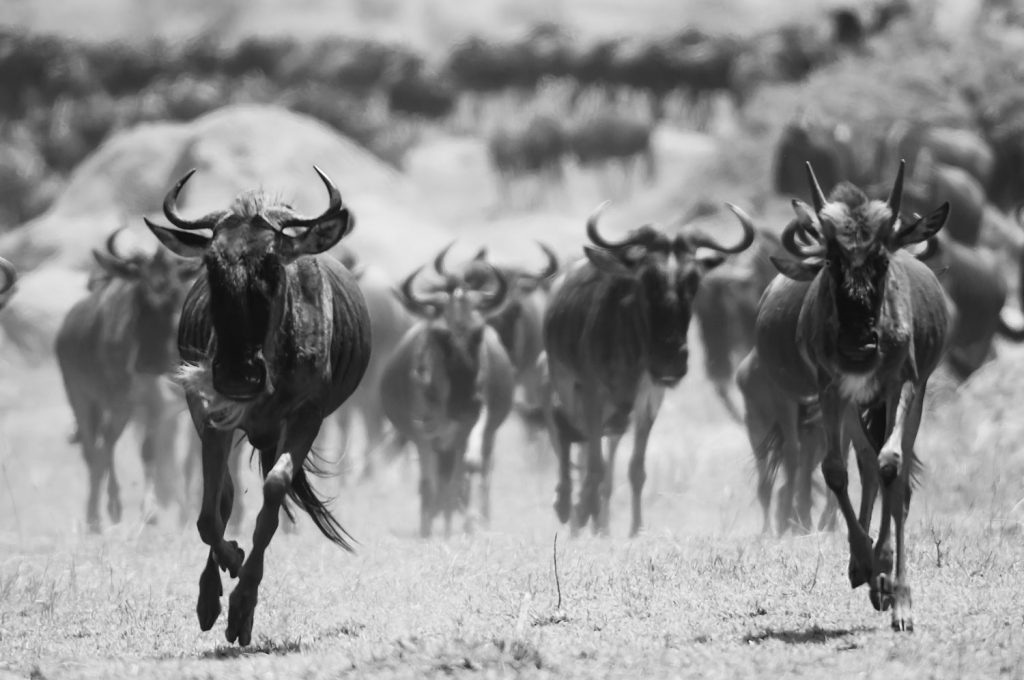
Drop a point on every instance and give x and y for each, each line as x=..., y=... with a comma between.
x=159, y=285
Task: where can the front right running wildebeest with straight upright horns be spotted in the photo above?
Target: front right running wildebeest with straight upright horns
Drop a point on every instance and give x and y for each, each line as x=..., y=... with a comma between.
x=861, y=324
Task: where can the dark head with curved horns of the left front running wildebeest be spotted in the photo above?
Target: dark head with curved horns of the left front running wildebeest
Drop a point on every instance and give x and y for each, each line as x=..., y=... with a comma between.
x=245, y=257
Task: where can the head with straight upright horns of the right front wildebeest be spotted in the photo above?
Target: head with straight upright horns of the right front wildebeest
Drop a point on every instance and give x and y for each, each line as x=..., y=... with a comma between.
x=851, y=239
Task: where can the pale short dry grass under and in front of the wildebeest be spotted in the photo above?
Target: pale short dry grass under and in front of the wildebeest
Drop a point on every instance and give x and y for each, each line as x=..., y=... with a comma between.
x=700, y=594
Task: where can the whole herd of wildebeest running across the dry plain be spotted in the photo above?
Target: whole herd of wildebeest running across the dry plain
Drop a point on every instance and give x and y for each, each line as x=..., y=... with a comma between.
x=830, y=328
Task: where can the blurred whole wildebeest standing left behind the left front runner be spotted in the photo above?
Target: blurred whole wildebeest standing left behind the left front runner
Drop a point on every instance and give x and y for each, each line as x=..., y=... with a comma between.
x=112, y=348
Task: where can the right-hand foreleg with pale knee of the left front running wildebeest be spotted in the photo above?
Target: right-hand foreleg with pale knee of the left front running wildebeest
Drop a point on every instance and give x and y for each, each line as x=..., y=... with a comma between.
x=296, y=439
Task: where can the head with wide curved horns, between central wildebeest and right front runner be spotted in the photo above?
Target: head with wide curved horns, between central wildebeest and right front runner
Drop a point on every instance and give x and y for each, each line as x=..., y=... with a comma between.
x=660, y=276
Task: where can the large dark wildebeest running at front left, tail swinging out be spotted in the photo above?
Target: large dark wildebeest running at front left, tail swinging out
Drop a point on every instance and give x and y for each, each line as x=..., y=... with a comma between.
x=275, y=335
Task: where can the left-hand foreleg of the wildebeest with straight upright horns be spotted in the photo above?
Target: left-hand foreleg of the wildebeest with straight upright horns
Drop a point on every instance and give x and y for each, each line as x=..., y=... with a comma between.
x=837, y=478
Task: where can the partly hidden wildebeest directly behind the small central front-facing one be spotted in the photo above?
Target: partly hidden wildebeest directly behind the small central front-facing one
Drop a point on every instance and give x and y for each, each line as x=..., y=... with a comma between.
x=519, y=323
